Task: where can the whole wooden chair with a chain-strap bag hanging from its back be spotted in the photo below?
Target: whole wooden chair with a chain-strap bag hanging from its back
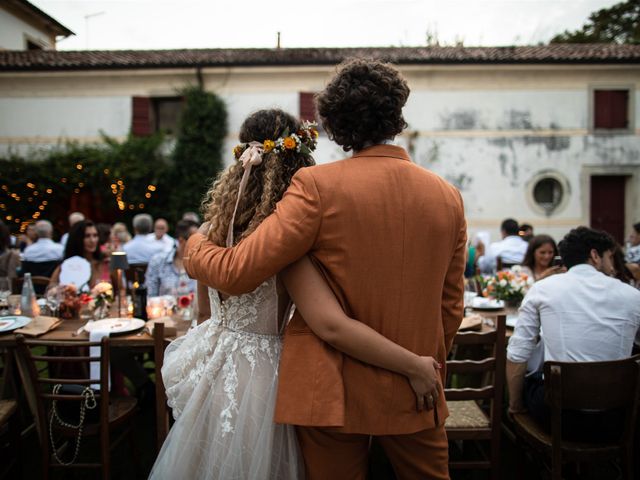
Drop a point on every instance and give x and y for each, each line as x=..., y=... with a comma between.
x=41, y=394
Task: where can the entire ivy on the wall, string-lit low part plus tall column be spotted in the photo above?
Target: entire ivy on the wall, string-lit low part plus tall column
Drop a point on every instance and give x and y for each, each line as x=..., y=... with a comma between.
x=111, y=180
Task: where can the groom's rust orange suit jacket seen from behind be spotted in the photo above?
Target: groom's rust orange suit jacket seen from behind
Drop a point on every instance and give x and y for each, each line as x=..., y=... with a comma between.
x=389, y=238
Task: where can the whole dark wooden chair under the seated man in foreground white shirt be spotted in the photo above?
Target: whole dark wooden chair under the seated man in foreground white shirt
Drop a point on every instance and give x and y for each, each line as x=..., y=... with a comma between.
x=592, y=386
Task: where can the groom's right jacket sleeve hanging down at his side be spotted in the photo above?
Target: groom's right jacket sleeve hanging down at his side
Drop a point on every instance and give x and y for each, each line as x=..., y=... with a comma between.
x=453, y=290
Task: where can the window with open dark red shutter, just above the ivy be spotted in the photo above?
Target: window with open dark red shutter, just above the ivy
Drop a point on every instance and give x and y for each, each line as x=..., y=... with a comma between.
x=154, y=114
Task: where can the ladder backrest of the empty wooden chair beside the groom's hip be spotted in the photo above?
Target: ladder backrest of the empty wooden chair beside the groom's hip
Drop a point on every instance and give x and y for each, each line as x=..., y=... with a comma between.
x=491, y=368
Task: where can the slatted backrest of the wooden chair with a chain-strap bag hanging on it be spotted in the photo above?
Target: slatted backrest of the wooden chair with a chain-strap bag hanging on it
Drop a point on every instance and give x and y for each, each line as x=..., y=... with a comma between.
x=41, y=381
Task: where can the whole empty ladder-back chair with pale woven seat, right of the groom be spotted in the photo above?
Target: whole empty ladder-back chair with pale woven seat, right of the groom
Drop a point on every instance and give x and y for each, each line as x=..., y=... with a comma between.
x=475, y=414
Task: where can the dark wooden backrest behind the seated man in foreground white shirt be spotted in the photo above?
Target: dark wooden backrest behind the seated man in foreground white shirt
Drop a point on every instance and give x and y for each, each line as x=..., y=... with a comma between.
x=593, y=386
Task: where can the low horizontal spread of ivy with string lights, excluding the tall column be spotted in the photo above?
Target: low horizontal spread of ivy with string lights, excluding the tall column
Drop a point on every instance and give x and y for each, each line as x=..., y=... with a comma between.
x=109, y=181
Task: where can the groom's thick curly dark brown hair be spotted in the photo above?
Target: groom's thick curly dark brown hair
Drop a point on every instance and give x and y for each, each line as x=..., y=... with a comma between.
x=363, y=103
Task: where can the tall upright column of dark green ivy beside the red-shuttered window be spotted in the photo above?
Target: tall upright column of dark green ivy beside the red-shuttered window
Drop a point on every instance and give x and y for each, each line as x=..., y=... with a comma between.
x=197, y=157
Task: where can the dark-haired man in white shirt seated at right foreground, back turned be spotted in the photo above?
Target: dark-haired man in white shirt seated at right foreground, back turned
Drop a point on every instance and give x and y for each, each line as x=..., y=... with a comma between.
x=582, y=315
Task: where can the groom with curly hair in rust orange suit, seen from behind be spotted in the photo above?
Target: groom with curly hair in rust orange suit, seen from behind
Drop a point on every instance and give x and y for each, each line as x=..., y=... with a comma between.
x=389, y=237
